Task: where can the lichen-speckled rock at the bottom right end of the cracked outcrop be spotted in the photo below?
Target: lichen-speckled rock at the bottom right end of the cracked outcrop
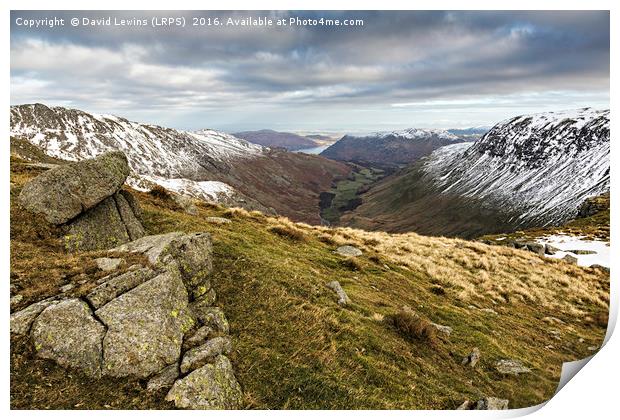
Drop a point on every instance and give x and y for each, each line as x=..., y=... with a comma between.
x=212, y=386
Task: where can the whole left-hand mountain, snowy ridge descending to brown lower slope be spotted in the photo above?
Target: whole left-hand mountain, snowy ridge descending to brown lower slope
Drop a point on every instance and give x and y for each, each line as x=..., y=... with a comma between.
x=205, y=164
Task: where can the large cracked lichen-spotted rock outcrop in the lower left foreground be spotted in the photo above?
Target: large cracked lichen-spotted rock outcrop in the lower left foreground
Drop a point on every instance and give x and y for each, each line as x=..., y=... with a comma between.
x=156, y=323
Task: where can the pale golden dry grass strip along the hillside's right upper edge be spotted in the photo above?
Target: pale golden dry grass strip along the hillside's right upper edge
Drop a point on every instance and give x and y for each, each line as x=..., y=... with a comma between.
x=475, y=271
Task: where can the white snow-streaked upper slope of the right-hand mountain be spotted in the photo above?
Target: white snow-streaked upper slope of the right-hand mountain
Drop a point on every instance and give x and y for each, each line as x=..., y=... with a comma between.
x=542, y=166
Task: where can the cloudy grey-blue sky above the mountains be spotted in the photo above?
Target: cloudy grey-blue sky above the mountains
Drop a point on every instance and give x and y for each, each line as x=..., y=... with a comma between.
x=397, y=70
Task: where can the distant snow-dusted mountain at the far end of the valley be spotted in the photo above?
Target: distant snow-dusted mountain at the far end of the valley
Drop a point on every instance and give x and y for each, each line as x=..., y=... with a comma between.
x=389, y=149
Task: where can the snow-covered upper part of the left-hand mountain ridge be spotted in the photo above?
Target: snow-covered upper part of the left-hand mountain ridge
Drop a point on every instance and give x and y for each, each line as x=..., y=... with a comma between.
x=164, y=156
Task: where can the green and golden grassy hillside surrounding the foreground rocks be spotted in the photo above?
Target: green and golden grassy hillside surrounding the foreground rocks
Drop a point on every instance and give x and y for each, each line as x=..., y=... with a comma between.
x=296, y=348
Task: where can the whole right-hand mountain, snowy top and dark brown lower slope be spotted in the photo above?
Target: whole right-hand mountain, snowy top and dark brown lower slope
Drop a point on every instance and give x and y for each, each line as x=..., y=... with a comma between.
x=531, y=170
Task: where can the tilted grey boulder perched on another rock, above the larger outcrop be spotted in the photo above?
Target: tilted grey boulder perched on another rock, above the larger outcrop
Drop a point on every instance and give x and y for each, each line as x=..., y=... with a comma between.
x=86, y=200
